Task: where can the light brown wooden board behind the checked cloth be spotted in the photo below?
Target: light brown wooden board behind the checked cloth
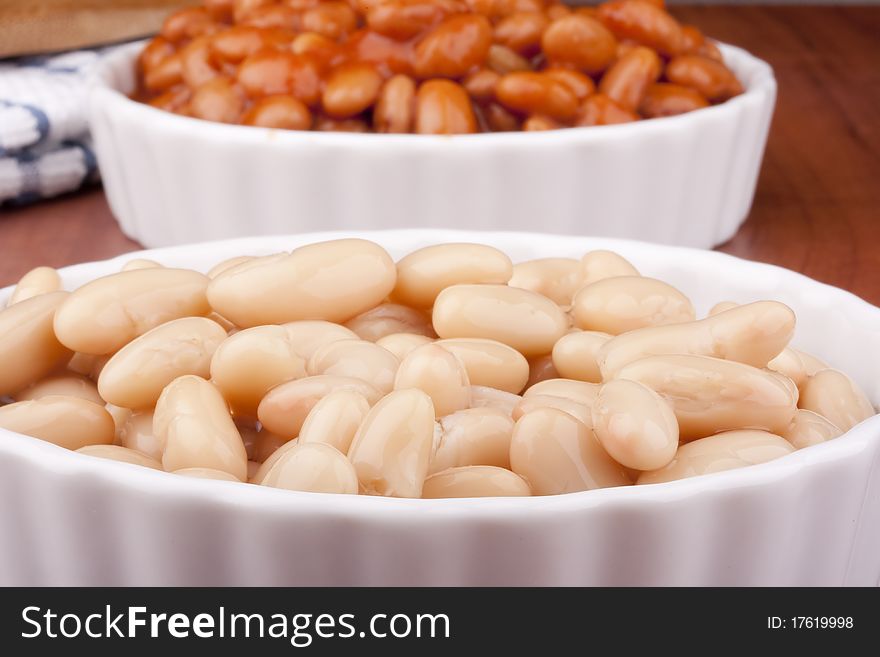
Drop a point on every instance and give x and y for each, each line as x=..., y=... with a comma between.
x=35, y=26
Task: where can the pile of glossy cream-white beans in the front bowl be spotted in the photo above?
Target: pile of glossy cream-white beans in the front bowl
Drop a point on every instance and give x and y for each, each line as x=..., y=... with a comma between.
x=452, y=373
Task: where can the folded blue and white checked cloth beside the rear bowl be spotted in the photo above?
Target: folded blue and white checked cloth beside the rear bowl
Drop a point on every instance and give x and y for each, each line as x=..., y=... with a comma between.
x=45, y=148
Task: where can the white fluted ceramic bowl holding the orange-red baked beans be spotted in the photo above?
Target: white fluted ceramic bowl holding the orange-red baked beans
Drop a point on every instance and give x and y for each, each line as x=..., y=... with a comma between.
x=686, y=180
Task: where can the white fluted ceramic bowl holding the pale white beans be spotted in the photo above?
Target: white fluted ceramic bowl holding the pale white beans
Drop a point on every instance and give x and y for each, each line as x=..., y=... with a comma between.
x=812, y=517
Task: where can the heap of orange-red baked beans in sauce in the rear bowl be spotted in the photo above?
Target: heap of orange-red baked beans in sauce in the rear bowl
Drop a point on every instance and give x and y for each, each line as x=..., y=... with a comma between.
x=430, y=66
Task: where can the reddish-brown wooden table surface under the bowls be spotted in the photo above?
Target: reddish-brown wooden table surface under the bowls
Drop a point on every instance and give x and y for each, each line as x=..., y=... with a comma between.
x=817, y=207
